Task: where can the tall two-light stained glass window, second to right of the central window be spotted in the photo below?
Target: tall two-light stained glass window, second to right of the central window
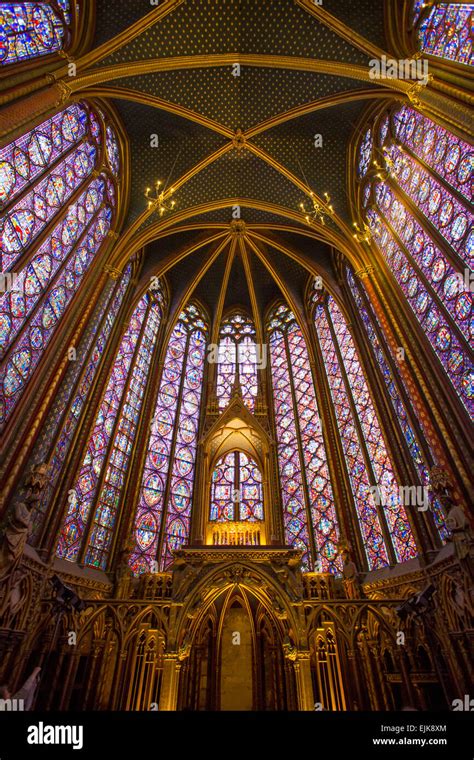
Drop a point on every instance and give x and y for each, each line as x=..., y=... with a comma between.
x=383, y=521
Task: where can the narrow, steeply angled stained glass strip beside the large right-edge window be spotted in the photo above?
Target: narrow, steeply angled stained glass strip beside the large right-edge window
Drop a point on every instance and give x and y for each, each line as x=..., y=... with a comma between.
x=400, y=407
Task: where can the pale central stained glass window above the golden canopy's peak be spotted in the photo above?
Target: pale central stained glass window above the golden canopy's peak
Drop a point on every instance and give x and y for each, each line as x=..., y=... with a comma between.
x=237, y=353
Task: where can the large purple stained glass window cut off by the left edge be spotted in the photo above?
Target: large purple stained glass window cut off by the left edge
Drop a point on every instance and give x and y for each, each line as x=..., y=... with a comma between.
x=57, y=204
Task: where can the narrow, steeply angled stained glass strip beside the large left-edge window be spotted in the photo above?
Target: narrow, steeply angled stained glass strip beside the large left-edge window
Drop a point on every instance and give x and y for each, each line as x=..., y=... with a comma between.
x=57, y=434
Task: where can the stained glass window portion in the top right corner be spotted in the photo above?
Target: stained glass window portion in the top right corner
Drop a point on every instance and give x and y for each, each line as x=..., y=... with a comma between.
x=445, y=31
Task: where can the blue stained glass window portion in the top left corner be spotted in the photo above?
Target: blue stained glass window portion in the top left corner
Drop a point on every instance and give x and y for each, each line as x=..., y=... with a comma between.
x=33, y=29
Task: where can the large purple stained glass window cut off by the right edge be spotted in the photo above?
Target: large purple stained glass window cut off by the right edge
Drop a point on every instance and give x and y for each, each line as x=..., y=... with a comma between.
x=416, y=201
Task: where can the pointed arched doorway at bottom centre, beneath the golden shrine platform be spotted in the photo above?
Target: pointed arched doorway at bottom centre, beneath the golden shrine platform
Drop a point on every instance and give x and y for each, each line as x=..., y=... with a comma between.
x=236, y=660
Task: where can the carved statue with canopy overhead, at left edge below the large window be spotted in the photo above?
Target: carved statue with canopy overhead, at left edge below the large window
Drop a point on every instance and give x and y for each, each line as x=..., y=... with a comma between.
x=15, y=530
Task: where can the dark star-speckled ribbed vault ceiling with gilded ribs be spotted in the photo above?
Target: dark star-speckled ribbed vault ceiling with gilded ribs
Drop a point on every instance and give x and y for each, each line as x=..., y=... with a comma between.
x=192, y=116
